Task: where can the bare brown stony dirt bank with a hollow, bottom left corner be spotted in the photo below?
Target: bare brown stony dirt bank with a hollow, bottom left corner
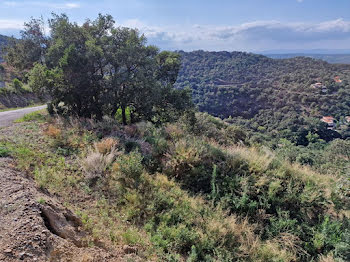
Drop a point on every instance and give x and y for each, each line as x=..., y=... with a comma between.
x=36, y=227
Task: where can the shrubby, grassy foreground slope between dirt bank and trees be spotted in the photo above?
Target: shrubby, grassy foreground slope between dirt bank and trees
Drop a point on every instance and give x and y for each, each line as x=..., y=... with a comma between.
x=176, y=195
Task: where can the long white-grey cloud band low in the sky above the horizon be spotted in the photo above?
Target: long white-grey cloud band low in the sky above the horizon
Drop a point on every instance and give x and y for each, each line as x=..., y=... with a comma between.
x=252, y=36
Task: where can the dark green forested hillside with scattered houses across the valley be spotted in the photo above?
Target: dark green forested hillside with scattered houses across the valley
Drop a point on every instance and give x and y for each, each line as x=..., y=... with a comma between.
x=267, y=95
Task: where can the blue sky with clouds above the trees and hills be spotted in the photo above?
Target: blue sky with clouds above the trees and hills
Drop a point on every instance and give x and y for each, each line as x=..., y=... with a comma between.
x=214, y=25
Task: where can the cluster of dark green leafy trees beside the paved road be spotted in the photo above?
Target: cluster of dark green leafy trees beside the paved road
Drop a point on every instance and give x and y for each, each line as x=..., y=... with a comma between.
x=96, y=69
